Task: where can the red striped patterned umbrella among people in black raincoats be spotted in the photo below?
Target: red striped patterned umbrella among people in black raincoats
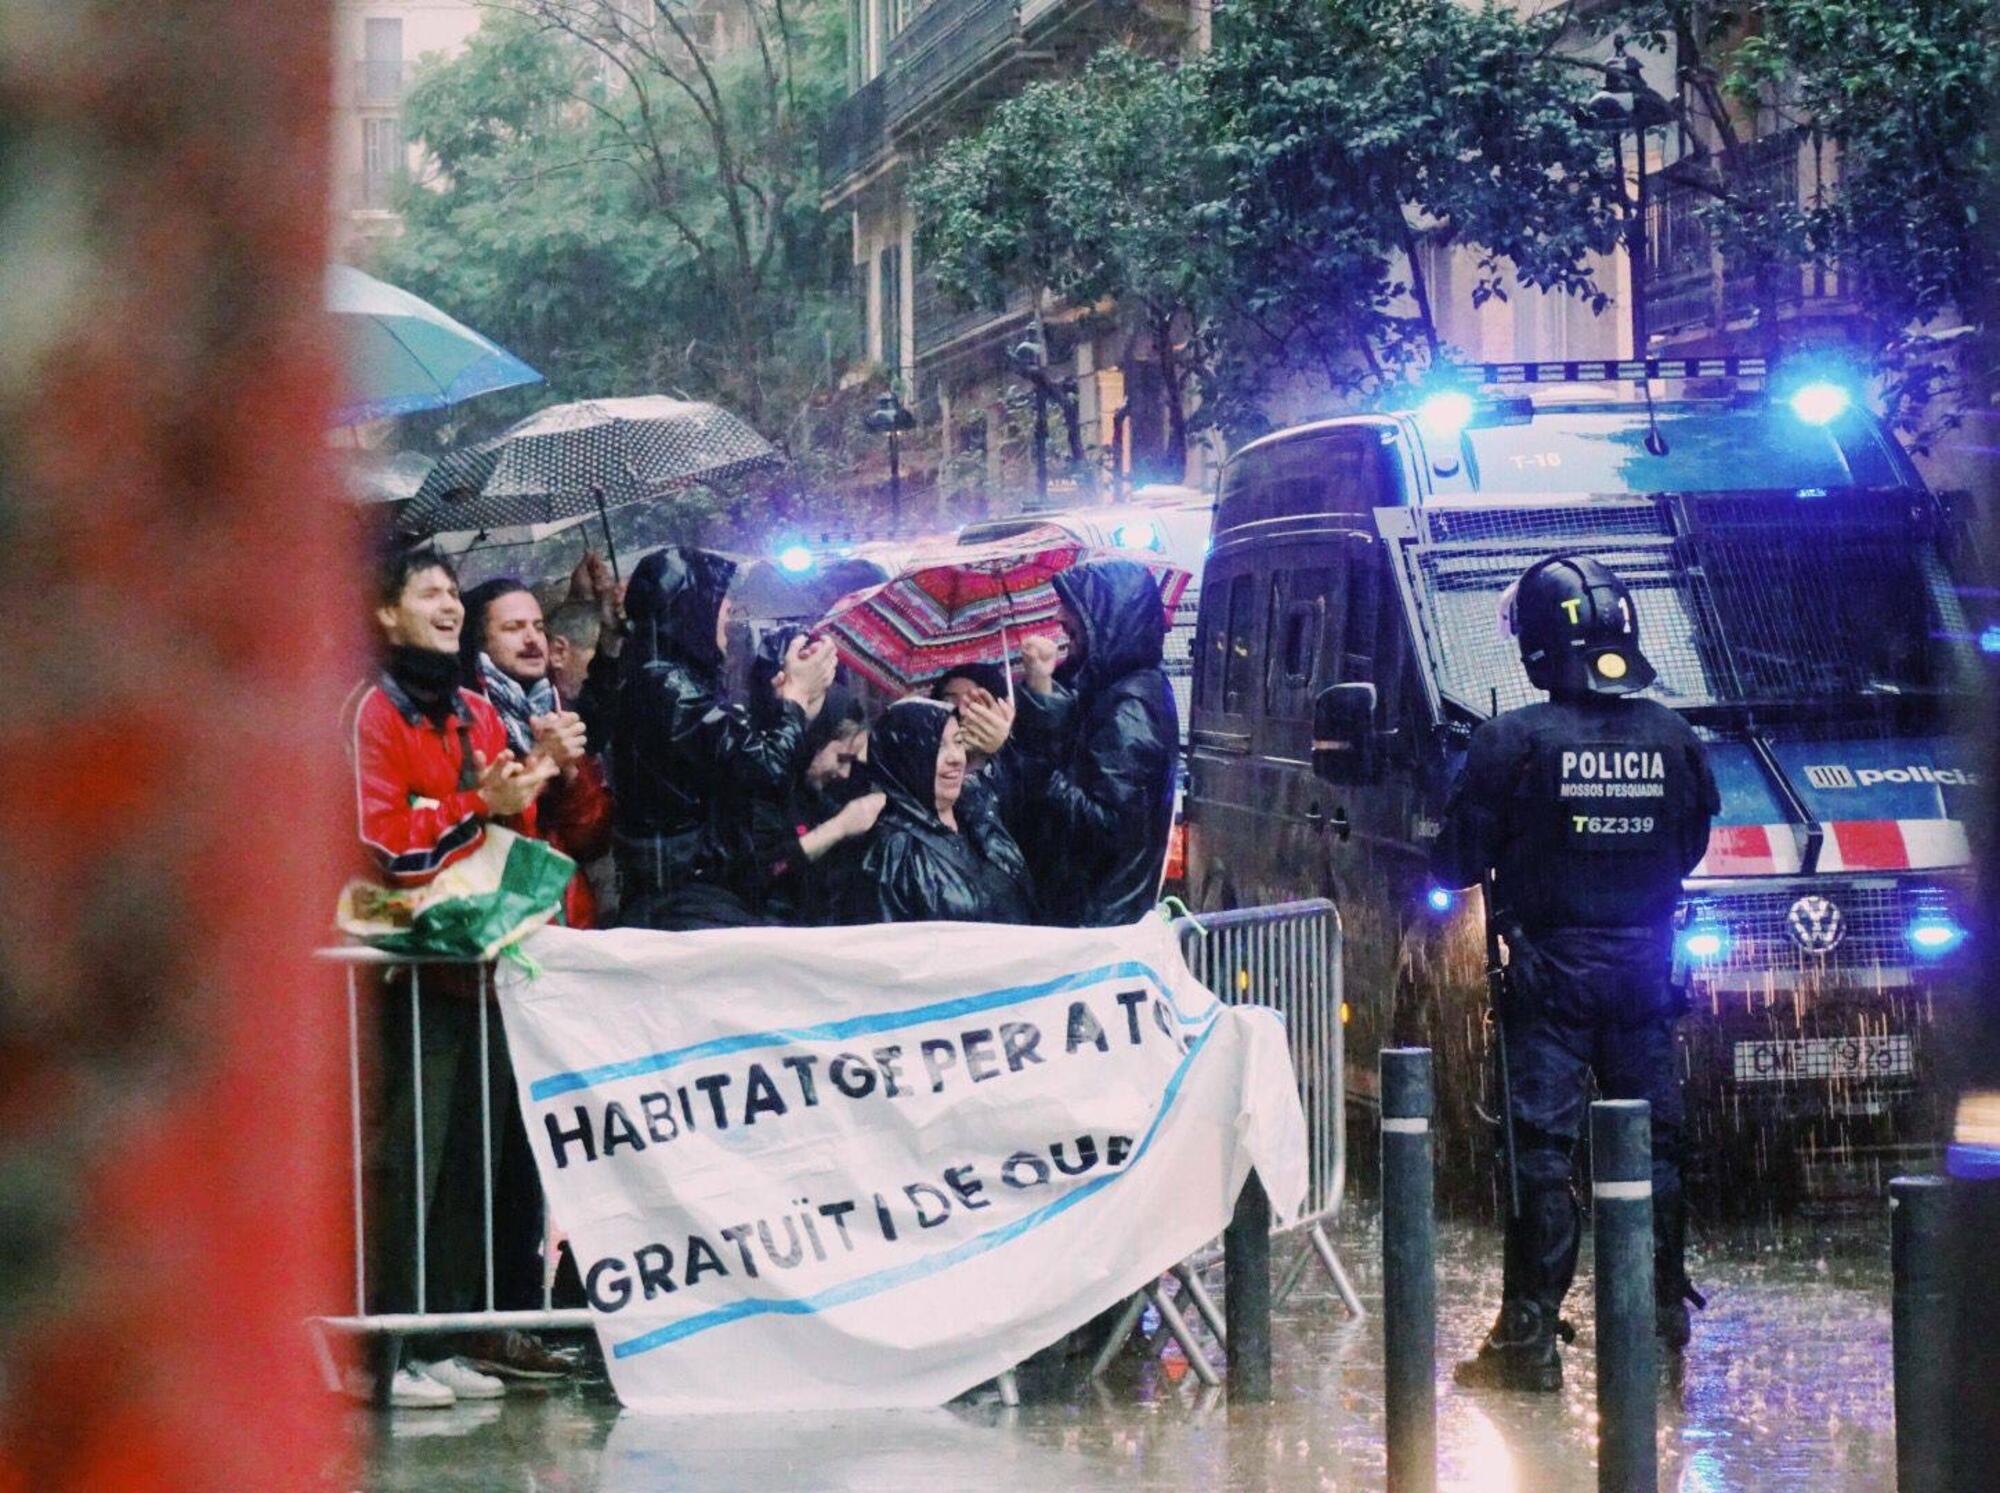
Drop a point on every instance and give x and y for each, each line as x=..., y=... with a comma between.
x=971, y=605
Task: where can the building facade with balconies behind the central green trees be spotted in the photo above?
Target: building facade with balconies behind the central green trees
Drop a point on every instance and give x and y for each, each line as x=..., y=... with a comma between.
x=925, y=71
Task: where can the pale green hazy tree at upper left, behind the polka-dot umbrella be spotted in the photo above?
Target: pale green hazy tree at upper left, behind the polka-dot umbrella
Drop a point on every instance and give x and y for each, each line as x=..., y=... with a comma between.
x=633, y=207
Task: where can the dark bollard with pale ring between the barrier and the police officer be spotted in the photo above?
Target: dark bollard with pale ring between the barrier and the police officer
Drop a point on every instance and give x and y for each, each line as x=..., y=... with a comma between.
x=1409, y=1272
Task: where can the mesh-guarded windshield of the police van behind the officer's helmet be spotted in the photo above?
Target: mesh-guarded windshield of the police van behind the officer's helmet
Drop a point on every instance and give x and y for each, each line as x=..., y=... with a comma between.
x=1743, y=599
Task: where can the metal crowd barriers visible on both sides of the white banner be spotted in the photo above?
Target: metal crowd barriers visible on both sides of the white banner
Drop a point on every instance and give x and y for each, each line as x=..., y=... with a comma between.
x=1287, y=958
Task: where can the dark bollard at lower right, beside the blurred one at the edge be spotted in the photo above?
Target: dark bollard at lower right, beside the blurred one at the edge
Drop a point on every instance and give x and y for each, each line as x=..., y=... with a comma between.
x=1919, y=1222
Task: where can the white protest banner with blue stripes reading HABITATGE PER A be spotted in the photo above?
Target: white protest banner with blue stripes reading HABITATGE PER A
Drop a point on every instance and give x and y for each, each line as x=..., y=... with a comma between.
x=875, y=1168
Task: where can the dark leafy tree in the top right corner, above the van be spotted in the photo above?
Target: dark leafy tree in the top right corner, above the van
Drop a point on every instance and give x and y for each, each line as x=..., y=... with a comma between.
x=1895, y=101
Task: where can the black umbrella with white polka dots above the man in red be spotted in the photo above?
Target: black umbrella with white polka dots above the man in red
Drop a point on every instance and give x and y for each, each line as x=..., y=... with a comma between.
x=589, y=457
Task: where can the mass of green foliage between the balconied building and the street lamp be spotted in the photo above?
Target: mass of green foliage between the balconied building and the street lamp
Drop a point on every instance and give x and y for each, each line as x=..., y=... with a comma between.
x=1259, y=213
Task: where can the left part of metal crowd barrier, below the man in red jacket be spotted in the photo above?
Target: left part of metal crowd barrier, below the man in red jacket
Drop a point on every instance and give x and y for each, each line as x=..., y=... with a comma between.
x=423, y=1320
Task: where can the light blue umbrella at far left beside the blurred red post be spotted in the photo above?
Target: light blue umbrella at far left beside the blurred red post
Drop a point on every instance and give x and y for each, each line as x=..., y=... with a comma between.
x=405, y=355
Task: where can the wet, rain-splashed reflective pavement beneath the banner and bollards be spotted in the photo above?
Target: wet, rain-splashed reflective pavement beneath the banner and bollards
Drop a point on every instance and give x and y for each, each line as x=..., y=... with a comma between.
x=1787, y=1388
